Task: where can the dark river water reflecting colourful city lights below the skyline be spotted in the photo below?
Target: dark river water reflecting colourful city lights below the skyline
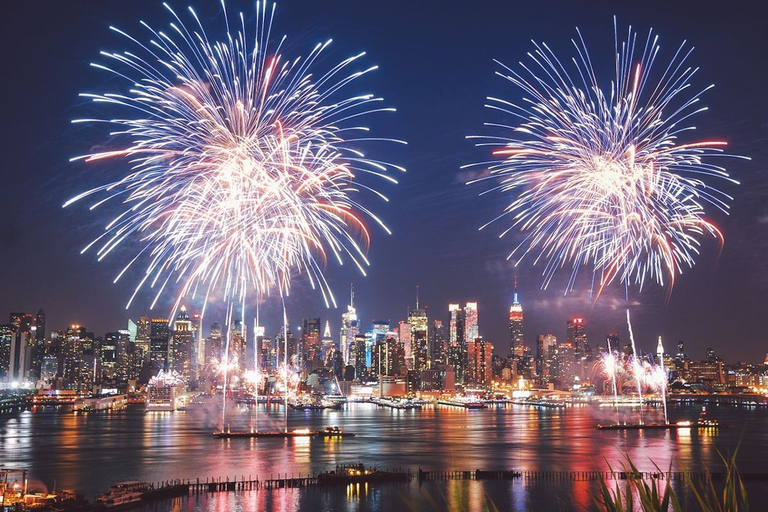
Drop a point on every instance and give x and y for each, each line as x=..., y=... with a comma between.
x=89, y=452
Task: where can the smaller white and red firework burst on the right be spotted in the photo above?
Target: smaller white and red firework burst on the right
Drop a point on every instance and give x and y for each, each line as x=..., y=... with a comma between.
x=604, y=177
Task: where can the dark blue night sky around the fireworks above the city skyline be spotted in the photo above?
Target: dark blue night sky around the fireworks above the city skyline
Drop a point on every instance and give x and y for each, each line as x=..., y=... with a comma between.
x=436, y=66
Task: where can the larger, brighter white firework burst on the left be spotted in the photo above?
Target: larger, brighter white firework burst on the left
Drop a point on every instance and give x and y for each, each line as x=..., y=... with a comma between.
x=244, y=164
